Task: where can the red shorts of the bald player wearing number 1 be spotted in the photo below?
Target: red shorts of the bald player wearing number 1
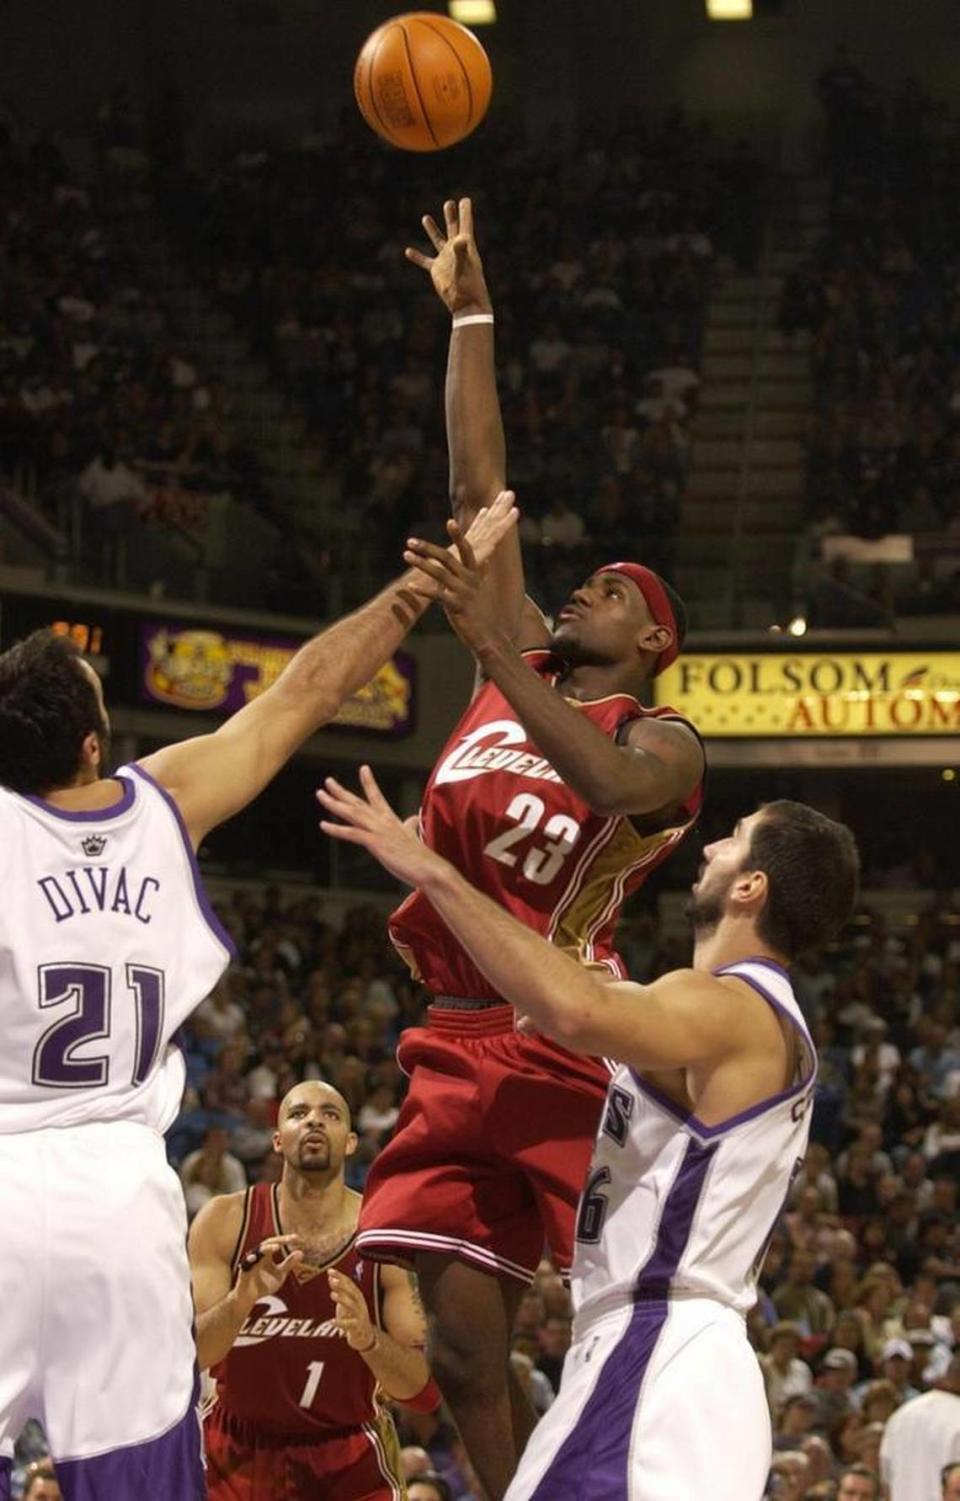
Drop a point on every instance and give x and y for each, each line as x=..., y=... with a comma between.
x=244, y=1464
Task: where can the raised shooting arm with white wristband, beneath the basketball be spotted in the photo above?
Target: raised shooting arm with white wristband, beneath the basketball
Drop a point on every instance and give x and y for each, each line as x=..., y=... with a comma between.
x=475, y=426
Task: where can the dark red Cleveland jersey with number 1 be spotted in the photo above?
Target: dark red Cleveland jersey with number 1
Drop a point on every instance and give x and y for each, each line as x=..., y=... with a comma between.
x=290, y=1370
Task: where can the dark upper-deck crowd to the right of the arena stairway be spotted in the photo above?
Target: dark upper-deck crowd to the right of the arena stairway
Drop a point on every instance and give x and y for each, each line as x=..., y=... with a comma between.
x=878, y=304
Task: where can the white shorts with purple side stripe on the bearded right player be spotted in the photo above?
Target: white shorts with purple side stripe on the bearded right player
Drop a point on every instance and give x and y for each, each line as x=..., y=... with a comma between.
x=659, y=1403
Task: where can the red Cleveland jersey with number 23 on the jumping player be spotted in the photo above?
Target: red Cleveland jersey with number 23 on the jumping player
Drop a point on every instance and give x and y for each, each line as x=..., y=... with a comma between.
x=502, y=816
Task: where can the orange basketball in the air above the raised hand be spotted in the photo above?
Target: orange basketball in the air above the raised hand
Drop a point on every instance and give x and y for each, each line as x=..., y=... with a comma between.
x=422, y=82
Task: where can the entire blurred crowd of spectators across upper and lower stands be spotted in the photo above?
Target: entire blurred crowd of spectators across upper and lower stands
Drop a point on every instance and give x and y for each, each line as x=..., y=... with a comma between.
x=170, y=334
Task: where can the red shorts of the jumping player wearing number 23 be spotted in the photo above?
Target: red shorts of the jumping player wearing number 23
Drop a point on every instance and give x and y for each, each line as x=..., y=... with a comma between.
x=491, y=1148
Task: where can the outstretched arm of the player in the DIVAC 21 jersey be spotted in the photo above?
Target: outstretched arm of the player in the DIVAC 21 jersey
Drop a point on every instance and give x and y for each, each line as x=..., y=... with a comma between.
x=214, y=777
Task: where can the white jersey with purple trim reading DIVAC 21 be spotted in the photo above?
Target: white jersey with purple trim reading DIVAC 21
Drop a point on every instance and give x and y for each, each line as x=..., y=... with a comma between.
x=107, y=945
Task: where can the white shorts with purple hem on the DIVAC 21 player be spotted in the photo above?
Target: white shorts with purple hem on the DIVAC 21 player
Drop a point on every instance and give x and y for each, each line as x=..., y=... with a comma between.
x=97, y=1329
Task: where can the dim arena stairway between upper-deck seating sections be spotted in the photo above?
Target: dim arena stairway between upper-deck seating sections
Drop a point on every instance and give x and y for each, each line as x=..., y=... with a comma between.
x=743, y=505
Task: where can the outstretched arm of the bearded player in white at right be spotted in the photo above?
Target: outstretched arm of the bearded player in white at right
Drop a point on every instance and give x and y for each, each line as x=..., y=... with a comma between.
x=676, y=1023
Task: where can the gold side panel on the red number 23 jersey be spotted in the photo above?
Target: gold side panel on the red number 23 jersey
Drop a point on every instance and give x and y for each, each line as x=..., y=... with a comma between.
x=602, y=885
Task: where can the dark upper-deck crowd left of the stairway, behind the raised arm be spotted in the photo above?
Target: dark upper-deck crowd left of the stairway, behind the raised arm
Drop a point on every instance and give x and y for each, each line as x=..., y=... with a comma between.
x=113, y=417
